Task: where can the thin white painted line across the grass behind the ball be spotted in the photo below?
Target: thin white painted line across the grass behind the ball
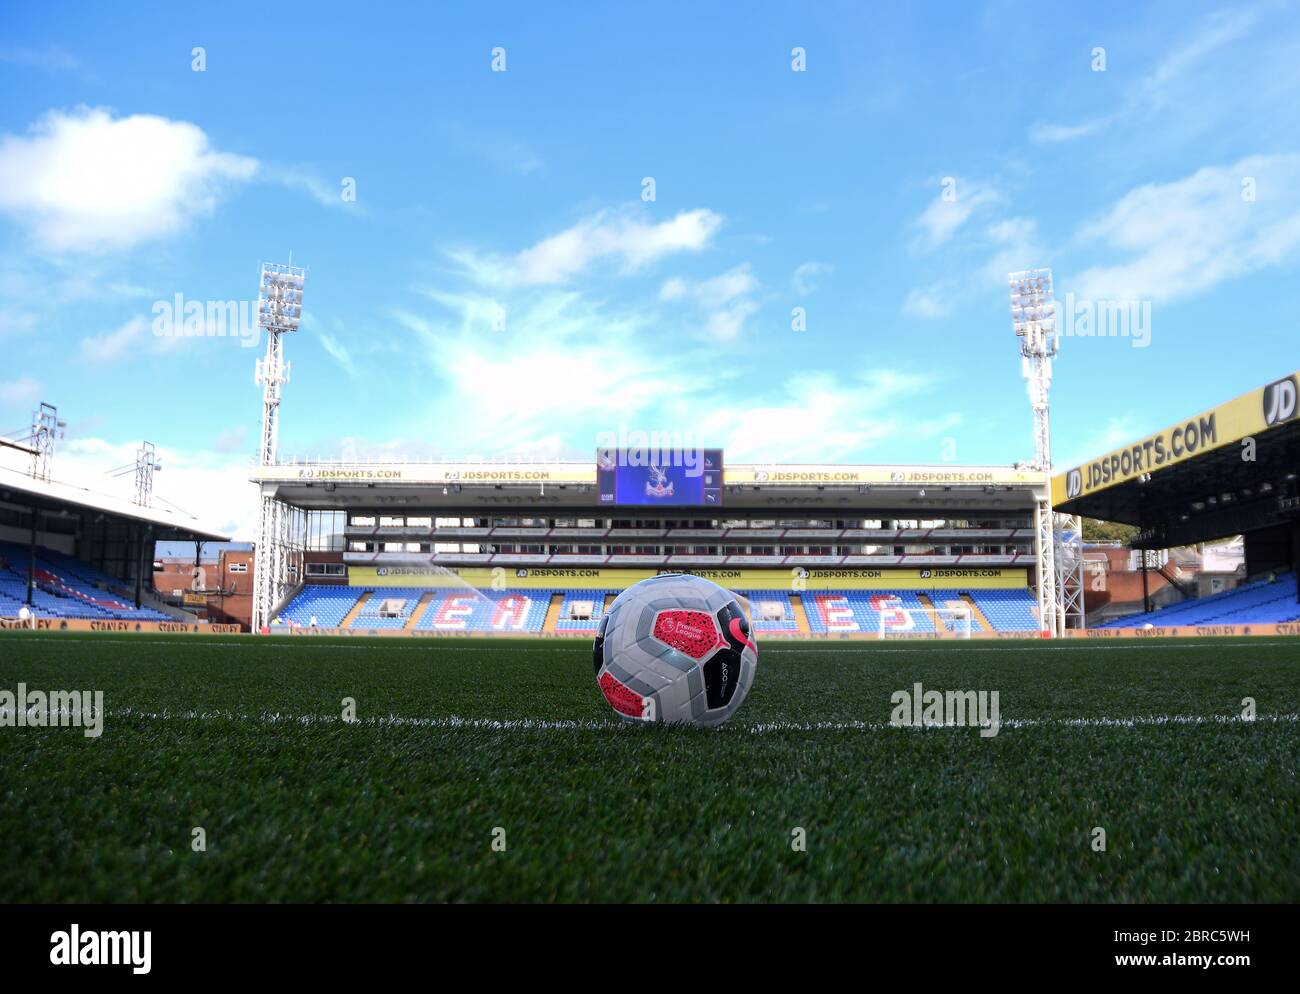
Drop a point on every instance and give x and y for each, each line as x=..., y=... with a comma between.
x=759, y=728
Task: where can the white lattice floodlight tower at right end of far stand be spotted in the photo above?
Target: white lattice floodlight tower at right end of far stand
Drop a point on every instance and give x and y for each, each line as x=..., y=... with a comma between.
x=1058, y=537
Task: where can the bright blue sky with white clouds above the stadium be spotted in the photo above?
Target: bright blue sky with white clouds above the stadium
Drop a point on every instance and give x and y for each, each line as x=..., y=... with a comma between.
x=501, y=288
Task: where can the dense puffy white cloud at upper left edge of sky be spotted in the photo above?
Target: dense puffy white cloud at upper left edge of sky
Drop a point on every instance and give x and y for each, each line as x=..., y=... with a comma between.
x=86, y=181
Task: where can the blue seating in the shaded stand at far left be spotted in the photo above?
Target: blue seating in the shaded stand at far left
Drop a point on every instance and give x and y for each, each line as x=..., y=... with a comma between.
x=66, y=588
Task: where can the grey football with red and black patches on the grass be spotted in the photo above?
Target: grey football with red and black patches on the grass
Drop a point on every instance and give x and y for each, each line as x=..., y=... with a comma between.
x=675, y=649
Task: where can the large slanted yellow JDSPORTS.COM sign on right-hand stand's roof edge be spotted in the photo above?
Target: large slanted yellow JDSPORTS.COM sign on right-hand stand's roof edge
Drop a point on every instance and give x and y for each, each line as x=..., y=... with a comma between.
x=1240, y=419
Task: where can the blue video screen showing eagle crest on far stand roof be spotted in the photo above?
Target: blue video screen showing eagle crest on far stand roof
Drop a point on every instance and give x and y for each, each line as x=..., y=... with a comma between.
x=642, y=478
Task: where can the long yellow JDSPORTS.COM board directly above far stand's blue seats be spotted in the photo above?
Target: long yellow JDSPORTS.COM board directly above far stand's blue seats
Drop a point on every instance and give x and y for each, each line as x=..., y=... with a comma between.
x=612, y=579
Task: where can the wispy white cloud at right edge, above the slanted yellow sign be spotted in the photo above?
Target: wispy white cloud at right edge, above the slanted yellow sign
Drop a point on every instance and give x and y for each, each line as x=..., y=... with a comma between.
x=1181, y=238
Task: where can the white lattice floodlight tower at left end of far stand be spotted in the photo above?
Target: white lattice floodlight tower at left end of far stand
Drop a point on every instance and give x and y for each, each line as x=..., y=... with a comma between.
x=280, y=309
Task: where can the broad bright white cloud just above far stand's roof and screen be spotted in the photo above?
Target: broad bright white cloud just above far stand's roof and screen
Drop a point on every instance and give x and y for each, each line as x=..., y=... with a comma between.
x=614, y=372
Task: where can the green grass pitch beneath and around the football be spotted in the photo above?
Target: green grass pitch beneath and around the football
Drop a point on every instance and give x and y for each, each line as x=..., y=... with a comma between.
x=244, y=739
